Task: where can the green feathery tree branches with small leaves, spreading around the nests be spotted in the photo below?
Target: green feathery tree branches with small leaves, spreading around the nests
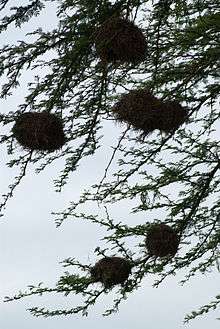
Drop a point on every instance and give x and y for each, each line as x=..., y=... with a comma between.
x=171, y=175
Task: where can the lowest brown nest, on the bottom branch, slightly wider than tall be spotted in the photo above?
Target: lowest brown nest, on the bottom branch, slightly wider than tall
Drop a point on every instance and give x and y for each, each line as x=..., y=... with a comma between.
x=111, y=271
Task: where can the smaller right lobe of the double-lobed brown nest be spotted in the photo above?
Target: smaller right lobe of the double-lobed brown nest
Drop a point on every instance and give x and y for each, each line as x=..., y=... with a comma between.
x=172, y=116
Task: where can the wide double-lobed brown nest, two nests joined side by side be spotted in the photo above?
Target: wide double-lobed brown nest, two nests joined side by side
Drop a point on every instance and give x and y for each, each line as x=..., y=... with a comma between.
x=145, y=112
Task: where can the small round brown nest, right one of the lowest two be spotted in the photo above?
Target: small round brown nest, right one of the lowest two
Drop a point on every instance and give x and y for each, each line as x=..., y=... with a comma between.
x=162, y=241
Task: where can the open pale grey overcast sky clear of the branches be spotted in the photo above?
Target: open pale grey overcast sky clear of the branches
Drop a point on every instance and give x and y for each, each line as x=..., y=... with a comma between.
x=31, y=249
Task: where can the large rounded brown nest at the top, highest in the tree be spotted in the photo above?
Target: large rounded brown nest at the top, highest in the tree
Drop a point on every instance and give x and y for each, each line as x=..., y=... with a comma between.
x=118, y=39
